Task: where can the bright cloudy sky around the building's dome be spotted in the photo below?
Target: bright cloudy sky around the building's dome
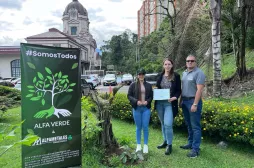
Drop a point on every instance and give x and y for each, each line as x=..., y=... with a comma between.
x=22, y=18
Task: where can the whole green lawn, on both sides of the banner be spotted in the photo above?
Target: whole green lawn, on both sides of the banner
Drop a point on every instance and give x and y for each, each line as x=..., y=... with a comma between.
x=211, y=156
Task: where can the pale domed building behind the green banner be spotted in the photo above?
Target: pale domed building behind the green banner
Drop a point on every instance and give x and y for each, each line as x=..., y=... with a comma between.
x=75, y=35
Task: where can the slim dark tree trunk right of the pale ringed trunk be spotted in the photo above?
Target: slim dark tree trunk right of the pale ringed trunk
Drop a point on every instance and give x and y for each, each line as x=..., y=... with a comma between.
x=242, y=72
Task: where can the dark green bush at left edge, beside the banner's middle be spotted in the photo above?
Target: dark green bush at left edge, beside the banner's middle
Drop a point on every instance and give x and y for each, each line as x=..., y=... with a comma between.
x=9, y=98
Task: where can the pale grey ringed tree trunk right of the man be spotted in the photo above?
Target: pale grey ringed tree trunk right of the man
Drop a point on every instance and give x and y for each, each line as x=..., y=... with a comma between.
x=216, y=46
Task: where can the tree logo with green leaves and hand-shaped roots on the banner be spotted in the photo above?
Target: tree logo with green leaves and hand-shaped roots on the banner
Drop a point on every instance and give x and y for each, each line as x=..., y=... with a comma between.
x=49, y=84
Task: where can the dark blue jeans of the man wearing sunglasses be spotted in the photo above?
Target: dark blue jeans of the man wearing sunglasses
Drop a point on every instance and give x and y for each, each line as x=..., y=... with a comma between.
x=192, y=120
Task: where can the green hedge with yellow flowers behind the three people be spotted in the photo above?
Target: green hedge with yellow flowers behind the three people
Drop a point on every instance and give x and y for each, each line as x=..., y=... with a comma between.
x=230, y=121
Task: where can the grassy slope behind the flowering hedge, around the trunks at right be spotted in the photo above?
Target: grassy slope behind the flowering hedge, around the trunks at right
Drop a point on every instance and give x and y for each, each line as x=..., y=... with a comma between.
x=232, y=88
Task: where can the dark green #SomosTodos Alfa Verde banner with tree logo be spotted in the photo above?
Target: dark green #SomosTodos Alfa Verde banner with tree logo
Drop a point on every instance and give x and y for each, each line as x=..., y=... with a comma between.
x=51, y=106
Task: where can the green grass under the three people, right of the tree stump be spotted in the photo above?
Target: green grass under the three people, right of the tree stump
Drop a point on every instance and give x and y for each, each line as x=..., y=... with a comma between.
x=211, y=156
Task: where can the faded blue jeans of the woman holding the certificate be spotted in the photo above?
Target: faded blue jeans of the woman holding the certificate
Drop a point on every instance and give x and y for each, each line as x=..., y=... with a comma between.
x=165, y=113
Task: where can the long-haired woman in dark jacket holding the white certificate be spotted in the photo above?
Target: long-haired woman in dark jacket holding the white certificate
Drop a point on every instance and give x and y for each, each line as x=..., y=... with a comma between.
x=168, y=109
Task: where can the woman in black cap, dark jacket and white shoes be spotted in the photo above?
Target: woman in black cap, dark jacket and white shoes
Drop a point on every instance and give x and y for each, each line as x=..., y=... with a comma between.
x=140, y=95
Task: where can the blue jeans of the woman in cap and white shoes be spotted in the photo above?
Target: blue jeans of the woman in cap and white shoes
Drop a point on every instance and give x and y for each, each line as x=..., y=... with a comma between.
x=142, y=117
